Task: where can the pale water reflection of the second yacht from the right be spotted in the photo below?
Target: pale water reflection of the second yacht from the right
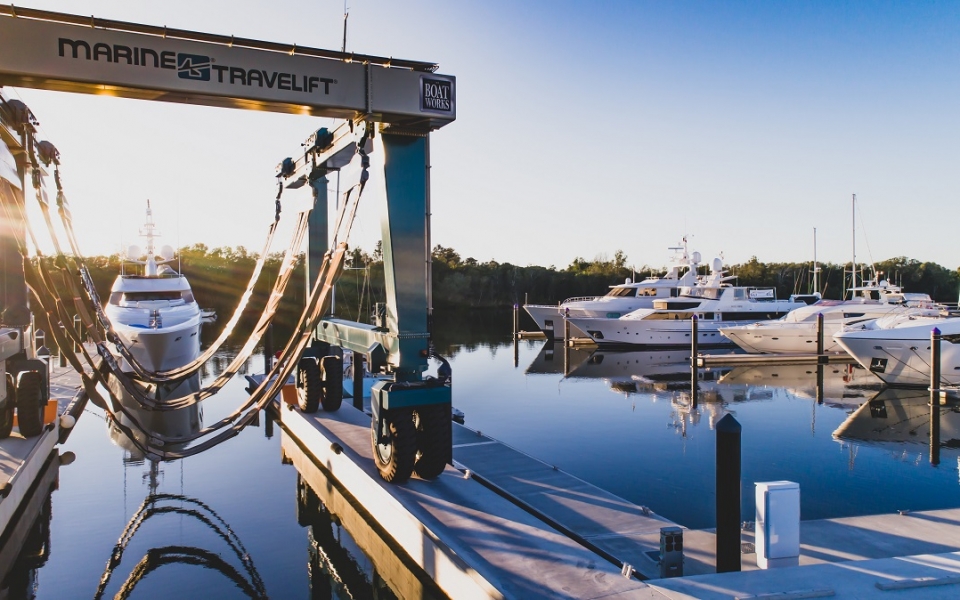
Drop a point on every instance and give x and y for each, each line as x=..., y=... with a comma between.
x=841, y=385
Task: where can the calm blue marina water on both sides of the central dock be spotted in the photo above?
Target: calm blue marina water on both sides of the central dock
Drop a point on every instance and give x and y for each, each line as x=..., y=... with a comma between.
x=232, y=523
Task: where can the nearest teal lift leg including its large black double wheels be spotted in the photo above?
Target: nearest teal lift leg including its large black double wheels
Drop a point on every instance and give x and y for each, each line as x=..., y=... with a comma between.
x=411, y=427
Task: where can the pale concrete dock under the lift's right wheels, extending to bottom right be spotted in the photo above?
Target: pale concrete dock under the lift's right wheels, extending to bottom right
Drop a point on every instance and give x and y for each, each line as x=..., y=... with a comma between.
x=505, y=525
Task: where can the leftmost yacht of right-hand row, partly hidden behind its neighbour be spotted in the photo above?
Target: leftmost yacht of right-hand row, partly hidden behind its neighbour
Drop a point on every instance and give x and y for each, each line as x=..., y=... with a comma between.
x=621, y=299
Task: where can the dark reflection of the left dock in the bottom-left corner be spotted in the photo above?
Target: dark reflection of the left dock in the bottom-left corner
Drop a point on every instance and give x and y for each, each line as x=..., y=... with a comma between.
x=26, y=542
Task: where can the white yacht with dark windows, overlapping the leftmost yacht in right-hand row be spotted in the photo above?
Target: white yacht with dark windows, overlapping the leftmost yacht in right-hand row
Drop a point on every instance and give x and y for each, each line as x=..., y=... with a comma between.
x=714, y=302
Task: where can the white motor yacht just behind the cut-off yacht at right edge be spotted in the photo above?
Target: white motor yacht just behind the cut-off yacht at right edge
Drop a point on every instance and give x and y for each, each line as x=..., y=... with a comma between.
x=797, y=331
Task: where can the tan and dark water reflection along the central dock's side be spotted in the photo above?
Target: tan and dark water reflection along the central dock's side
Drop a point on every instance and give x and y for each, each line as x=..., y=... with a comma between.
x=347, y=557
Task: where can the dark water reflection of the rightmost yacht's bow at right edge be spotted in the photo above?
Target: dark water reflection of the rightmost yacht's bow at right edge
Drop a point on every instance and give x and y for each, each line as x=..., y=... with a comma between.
x=900, y=416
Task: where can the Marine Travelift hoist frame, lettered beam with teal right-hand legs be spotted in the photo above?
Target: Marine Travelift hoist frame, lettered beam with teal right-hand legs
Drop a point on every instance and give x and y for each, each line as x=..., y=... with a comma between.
x=405, y=100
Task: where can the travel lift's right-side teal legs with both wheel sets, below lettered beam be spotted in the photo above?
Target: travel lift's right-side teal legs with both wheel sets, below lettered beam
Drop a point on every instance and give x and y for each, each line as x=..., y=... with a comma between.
x=411, y=415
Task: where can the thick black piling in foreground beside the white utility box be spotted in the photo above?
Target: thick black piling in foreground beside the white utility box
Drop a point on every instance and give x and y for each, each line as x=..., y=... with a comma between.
x=728, y=494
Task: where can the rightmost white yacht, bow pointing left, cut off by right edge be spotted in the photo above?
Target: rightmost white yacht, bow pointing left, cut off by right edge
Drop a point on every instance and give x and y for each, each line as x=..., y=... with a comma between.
x=896, y=348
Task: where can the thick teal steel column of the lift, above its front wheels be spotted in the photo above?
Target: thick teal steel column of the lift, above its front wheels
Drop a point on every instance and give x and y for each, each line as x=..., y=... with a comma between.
x=406, y=251
